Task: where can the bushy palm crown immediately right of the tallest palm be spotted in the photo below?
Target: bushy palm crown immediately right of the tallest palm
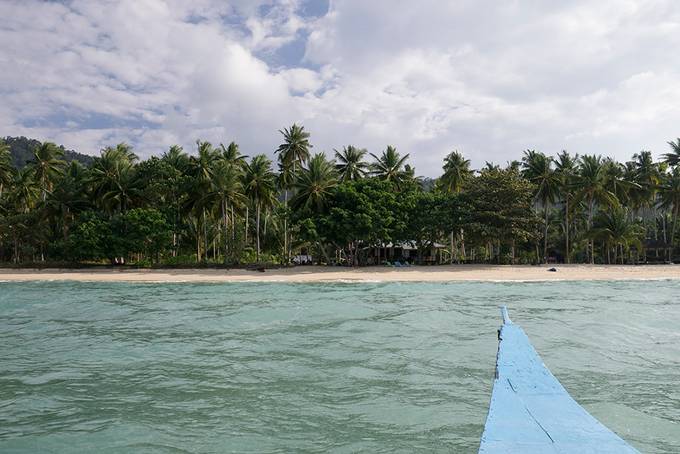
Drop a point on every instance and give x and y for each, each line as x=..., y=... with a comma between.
x=315, y=183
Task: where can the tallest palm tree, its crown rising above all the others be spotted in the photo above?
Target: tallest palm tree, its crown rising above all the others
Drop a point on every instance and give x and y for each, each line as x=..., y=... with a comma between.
x=293, y=153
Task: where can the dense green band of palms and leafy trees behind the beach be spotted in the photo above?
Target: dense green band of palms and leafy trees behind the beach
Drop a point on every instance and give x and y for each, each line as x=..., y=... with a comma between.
x=219, y=207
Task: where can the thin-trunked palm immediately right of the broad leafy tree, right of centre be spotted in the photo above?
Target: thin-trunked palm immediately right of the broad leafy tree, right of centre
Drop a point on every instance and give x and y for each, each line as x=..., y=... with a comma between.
x=537, y=168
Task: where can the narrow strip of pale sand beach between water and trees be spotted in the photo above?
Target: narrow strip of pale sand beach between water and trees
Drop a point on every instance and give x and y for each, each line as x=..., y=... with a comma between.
x=440, y=273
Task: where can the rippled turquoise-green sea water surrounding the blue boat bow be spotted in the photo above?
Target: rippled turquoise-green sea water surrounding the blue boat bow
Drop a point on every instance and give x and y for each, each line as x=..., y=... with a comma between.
x=267, y=368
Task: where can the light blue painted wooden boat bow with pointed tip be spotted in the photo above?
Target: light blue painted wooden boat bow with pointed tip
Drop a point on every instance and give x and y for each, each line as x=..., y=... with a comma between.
x=531, y=412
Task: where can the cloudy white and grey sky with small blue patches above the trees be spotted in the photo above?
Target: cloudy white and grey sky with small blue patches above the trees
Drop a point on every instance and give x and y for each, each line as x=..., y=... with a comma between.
x=487, y=78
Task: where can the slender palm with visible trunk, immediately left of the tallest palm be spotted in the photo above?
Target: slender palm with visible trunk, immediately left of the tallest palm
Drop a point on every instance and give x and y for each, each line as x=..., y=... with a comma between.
x=260, y=187
